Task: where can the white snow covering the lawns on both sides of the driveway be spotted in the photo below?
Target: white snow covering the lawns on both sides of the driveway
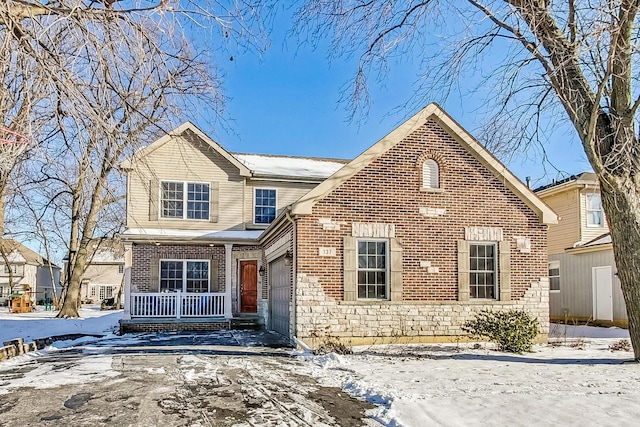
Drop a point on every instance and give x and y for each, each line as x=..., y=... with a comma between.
x=577, y=380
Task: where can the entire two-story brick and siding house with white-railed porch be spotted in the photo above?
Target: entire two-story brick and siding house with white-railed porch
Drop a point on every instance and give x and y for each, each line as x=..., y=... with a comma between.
x=405, y=242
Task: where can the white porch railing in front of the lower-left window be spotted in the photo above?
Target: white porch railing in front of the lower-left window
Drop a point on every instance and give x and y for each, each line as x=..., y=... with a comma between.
x=177, y=304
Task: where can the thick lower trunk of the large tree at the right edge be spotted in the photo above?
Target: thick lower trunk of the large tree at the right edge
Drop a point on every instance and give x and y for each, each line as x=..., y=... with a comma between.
x=621, y=203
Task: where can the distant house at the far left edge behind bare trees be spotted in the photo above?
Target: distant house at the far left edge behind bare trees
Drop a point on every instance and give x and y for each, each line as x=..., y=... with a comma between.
x=28, y=268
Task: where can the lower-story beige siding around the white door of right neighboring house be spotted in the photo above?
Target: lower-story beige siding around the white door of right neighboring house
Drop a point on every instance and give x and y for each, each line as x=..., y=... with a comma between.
x=576, y=286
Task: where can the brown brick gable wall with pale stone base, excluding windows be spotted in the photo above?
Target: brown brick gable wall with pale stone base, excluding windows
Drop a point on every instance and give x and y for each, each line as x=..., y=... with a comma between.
x=428, y=225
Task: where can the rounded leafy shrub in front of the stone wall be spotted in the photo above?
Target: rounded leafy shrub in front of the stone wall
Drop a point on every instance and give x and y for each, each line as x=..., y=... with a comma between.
x=514, y=330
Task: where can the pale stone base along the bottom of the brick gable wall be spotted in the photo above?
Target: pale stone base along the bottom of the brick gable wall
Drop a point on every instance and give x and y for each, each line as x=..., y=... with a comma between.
x=356, y=323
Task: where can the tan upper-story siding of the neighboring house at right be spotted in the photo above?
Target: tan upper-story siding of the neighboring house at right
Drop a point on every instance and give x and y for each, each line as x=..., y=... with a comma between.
x=566, y=232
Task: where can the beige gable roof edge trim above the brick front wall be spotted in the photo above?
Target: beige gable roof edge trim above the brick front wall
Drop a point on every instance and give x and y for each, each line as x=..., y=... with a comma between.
x=434, y=112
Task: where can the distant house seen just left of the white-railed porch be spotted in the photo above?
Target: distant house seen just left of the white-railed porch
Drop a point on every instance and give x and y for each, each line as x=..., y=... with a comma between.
x=104, y=275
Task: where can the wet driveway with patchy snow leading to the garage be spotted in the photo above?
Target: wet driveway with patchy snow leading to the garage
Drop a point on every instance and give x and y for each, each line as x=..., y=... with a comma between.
x=227, y=378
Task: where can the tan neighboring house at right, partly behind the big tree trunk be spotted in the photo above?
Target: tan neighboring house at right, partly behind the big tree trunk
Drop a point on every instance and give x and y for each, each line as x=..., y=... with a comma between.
x=584, y=285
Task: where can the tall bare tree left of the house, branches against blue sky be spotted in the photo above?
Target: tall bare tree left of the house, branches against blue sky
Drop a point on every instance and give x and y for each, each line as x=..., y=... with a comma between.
x=114, y=74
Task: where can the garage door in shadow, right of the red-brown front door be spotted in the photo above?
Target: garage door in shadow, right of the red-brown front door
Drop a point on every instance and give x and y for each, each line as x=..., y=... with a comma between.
x=280, y=298
